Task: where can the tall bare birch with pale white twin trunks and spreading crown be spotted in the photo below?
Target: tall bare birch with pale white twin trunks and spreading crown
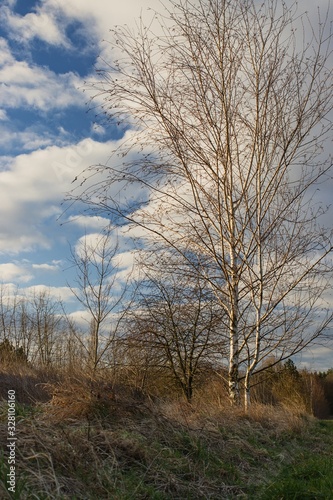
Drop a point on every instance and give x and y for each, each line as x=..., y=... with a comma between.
x=231, y=105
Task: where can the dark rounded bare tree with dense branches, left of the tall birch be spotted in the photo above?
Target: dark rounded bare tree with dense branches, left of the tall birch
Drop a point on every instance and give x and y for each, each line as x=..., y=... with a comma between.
x=175, y=320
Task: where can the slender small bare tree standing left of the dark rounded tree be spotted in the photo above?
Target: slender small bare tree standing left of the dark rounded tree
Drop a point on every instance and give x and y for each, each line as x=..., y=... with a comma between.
x=98, y=289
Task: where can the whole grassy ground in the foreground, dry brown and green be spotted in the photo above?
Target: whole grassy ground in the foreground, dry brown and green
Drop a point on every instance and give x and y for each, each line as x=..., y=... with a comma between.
x=89, y=445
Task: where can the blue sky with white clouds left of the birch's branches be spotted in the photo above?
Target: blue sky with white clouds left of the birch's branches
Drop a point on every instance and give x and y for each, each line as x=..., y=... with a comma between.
x=49, y=134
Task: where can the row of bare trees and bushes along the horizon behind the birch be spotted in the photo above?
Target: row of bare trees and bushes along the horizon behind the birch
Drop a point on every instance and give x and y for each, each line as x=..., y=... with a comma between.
x=168, y=345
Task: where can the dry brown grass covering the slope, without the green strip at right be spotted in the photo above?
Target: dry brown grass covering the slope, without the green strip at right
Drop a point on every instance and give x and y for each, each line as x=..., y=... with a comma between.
x=92, y=439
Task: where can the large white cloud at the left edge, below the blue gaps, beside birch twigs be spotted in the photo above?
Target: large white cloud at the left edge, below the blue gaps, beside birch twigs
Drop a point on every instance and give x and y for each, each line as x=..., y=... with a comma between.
x=32, y=187
